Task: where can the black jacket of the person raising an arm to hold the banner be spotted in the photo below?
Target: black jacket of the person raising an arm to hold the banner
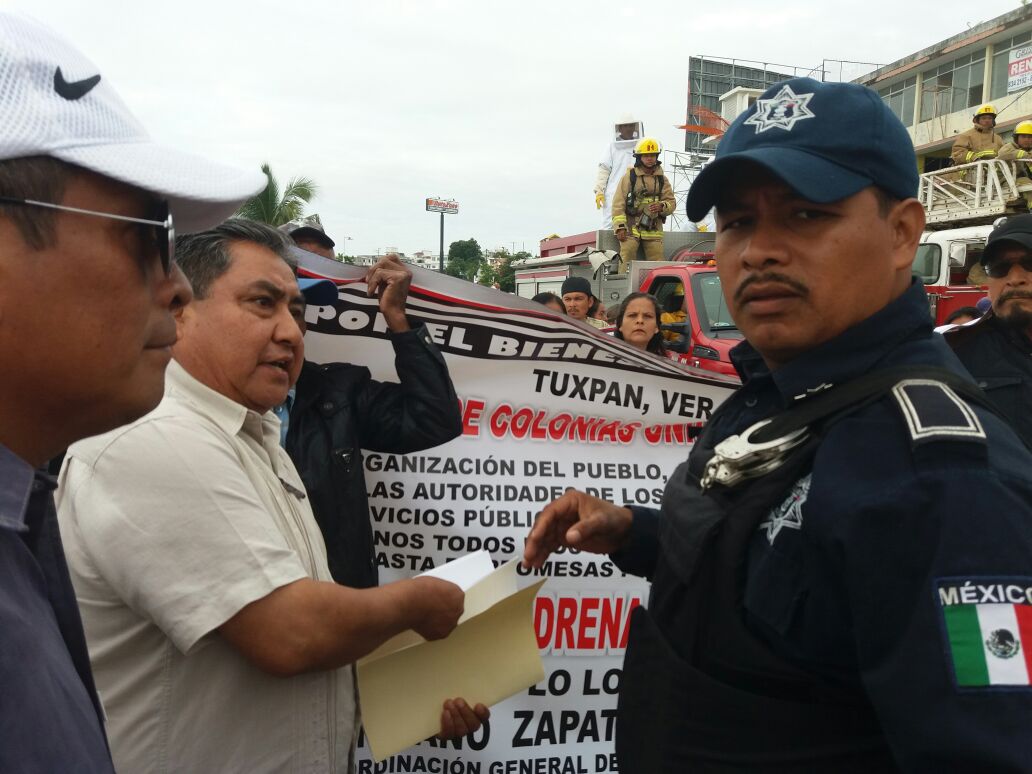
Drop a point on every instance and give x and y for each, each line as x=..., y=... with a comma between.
x=339, y=410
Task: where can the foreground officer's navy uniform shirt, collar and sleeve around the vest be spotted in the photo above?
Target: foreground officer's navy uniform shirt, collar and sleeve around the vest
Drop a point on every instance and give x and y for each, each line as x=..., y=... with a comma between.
x=880, y=566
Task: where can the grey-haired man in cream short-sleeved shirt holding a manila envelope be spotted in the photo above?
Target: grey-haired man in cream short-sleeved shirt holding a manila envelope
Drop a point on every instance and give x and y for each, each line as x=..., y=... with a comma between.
x=218, y=639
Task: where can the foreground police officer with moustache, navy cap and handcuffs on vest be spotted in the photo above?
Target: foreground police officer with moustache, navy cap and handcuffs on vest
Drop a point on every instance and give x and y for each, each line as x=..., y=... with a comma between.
x=843, y=570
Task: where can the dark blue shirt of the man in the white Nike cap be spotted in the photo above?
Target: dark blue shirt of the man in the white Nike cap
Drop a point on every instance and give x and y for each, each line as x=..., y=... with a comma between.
x=50, y=717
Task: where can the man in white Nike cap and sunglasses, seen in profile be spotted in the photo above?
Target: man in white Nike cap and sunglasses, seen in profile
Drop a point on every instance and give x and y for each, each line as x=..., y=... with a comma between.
x=88, y=205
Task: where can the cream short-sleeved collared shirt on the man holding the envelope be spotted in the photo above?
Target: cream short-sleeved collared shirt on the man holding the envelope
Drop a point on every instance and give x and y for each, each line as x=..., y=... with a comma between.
x=172, y=526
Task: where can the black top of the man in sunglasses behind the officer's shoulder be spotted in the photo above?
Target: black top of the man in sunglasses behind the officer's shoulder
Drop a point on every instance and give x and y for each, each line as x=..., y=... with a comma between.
x=1001, y=361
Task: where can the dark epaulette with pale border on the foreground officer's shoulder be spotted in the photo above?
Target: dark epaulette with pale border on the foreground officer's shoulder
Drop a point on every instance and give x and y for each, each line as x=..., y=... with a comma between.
x=934, y=412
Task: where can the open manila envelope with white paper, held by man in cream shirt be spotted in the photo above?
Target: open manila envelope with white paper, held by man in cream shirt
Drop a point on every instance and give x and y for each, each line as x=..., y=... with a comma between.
x=490, y=657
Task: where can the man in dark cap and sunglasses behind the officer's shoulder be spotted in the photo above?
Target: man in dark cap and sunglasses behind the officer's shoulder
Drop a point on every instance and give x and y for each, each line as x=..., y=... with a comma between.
x=998, y=349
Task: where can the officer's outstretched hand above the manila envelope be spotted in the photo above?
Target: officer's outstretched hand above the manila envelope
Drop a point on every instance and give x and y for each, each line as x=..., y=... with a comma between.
x=577, y=521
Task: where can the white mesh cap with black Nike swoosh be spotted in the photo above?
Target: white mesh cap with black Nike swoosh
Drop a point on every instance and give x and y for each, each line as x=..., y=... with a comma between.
x=55, y=103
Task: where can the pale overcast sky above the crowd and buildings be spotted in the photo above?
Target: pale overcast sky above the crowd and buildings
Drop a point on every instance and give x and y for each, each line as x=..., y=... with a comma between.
x=506, y=108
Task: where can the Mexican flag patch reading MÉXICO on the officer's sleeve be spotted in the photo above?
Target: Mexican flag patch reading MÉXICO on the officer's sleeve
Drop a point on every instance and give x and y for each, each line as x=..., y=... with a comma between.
x=988, y=626
